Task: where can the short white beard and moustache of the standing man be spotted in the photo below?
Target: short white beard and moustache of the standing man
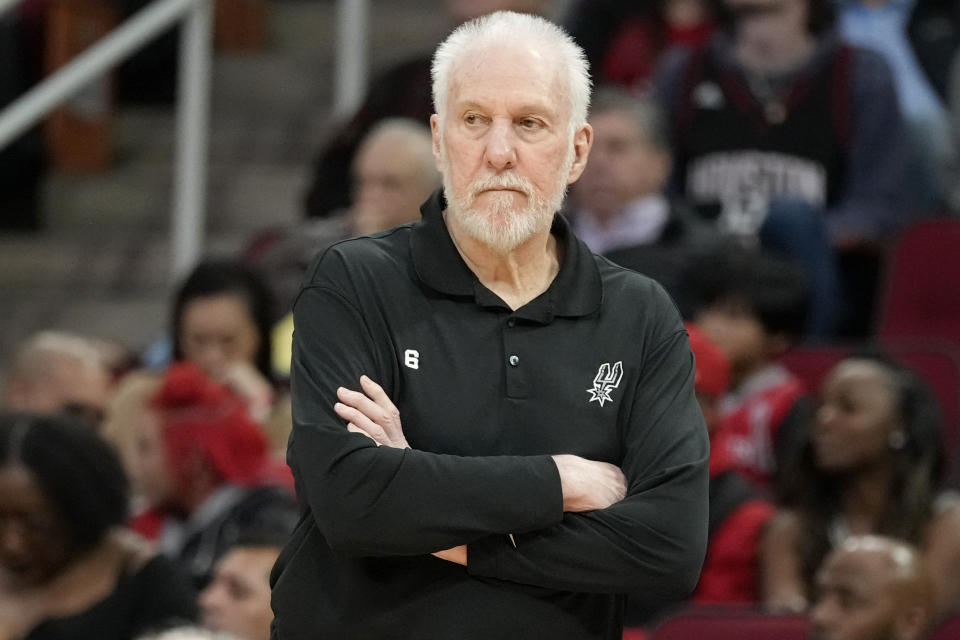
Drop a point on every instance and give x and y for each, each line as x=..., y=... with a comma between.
x=502, y=227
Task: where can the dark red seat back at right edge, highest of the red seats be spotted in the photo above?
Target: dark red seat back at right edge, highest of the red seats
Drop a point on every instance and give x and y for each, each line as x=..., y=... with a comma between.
x=921, y=286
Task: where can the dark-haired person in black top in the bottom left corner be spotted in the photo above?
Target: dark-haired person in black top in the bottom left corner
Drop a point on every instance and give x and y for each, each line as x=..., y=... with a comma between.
x=67, y=567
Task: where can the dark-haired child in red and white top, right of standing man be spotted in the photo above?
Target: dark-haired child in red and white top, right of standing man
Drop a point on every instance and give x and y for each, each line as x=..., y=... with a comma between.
x=752, y=306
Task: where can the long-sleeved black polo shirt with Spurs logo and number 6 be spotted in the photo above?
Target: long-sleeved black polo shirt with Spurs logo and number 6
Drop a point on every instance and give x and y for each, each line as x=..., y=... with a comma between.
x=599, y=366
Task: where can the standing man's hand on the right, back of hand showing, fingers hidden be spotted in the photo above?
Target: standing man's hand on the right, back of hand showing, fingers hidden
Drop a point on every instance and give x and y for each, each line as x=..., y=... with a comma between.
x=588, y=484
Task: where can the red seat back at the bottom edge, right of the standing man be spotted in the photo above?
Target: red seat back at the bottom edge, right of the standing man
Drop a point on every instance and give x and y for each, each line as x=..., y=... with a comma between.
x=731, y=625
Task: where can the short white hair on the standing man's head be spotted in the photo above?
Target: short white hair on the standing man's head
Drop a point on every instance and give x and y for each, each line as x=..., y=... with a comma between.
x=504, y=28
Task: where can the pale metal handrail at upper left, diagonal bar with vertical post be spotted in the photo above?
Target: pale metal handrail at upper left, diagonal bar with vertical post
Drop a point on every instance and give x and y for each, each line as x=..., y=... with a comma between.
x=193, y=105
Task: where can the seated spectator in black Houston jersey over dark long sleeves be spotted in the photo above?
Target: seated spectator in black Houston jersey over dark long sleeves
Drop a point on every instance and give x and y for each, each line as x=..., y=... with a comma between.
x=785, y=133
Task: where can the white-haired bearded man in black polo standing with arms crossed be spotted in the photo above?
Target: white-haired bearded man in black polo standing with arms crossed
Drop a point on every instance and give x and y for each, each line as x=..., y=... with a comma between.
x=541, y=451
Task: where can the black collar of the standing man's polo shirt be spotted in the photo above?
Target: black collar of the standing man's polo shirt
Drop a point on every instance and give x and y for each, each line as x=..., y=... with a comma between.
x=576, y=290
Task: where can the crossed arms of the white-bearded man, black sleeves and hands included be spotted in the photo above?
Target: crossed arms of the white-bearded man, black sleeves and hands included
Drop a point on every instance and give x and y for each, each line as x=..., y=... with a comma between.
x=370, y=501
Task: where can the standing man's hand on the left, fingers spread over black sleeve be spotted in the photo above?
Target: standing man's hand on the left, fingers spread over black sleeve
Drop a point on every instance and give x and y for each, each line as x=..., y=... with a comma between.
x=371, y=413
